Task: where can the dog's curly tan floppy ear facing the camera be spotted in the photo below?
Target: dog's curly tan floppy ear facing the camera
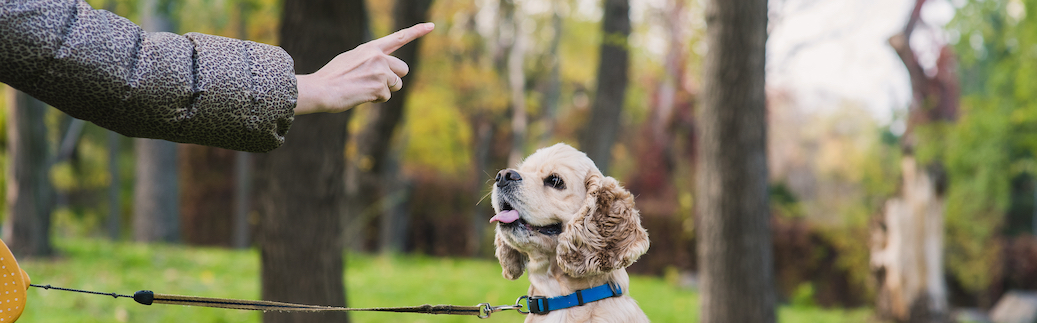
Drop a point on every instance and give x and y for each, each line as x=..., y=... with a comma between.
x=606, y=234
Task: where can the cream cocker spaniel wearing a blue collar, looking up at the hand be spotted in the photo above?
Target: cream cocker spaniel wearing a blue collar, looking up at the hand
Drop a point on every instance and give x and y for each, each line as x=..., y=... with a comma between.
x=574, y=231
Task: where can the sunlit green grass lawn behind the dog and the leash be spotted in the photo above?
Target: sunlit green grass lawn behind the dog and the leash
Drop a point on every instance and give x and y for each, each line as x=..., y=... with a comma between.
x=372, y=281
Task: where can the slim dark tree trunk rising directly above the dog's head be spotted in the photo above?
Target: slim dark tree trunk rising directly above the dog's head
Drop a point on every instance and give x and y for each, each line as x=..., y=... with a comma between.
x=600, y=134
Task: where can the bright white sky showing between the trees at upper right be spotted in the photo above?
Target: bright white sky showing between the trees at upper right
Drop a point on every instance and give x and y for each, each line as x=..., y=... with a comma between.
x=828, y=53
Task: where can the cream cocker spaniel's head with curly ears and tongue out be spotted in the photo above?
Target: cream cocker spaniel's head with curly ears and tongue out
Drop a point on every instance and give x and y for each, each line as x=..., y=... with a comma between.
x=558, y=204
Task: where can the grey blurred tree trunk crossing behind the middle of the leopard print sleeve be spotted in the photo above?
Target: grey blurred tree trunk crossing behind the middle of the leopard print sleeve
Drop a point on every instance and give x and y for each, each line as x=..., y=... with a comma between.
x=156, y=190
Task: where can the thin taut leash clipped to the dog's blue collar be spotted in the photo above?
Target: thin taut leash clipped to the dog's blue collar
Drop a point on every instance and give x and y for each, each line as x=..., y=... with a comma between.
x=482, y=311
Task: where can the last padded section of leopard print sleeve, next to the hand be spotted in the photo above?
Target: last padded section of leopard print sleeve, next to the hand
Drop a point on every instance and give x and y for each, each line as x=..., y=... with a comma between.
x=245, y=94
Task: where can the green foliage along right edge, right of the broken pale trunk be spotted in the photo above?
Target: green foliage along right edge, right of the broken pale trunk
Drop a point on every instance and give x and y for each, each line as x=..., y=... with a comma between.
x=996, y=137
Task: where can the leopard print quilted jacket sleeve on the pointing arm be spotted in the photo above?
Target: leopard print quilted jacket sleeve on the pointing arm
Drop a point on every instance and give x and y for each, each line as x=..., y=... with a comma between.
x=102, y=68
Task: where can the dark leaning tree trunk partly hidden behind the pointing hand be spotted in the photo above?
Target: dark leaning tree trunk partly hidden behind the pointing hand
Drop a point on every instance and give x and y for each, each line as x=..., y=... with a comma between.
x=369, y=179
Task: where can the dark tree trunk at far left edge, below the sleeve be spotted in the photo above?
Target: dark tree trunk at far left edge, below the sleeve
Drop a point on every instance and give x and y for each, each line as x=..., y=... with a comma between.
x=31, y=196
